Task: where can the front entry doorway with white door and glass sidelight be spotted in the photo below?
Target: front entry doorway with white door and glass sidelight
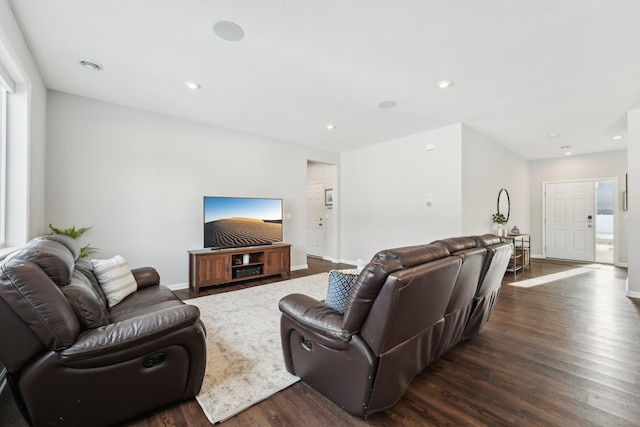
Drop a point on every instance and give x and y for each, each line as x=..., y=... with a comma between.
x=579, y=220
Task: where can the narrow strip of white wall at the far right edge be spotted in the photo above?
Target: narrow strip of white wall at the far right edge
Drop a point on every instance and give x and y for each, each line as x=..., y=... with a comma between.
x=633, y=224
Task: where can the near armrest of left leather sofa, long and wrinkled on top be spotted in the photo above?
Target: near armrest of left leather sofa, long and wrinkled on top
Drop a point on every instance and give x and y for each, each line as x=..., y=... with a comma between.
x=130, y=332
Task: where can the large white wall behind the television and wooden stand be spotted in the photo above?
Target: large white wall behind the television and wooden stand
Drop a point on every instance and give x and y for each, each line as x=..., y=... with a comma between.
x=139, y=179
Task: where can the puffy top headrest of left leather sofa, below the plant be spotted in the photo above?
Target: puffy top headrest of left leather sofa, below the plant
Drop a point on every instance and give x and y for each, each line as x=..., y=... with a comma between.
x=52, y=254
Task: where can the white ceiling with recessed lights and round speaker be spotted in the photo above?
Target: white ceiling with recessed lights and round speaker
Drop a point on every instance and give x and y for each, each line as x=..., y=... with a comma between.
x=521, y=69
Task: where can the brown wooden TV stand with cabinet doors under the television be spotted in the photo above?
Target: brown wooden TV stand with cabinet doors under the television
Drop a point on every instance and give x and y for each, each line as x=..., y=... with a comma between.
x=220, y=266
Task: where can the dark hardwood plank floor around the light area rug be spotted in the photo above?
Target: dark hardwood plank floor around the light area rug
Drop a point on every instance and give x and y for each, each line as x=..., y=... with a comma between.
x=564, y=353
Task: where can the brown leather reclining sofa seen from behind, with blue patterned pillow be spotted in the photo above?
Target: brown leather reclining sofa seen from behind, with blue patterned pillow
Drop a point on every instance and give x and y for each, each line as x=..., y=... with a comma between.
x=408, y=306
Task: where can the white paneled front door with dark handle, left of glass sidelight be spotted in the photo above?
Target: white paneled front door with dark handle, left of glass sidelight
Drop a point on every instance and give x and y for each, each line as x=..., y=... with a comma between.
x=570, y=220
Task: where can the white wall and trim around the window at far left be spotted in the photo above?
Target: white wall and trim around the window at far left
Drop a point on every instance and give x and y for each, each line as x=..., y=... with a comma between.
x=26, y=134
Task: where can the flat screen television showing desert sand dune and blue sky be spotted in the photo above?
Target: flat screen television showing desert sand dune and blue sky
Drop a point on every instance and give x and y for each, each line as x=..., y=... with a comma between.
x=231, y=222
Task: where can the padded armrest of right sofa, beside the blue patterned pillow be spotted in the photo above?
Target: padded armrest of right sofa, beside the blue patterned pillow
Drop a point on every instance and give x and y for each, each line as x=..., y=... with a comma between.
x=312, y=315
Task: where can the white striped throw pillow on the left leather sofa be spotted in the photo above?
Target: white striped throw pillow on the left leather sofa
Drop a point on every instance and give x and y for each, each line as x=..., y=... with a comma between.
x=115, y=278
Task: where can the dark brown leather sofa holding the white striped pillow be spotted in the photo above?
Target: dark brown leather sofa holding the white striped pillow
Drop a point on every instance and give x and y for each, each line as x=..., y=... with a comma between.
x=64, y=369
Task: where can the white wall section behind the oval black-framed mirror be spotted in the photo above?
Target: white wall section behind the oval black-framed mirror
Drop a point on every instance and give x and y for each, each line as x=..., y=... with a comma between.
x=487, y=167
